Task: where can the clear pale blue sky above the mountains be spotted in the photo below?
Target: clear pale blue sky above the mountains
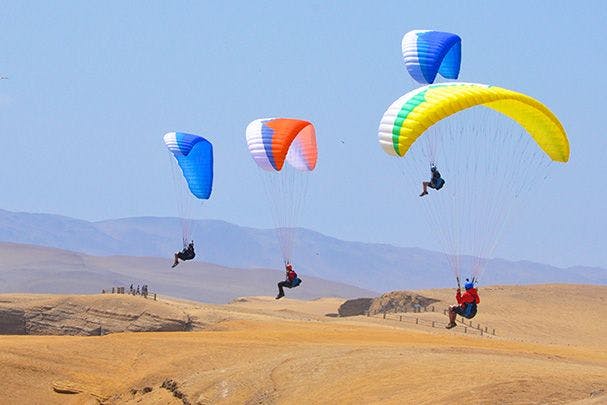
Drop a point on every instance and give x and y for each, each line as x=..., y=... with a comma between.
x=93, y=87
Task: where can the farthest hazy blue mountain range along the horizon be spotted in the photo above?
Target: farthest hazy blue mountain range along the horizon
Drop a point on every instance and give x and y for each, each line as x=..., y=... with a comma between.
x=372, y=266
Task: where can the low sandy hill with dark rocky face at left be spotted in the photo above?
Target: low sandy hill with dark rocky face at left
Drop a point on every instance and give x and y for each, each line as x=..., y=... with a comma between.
x=102, y=314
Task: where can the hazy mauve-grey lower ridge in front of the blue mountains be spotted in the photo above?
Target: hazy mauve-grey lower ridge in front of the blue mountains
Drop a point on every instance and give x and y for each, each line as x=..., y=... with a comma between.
x=36, y=269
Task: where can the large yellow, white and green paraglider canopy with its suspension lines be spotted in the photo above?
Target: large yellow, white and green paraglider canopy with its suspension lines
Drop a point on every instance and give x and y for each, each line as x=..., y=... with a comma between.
x=493, y=144
